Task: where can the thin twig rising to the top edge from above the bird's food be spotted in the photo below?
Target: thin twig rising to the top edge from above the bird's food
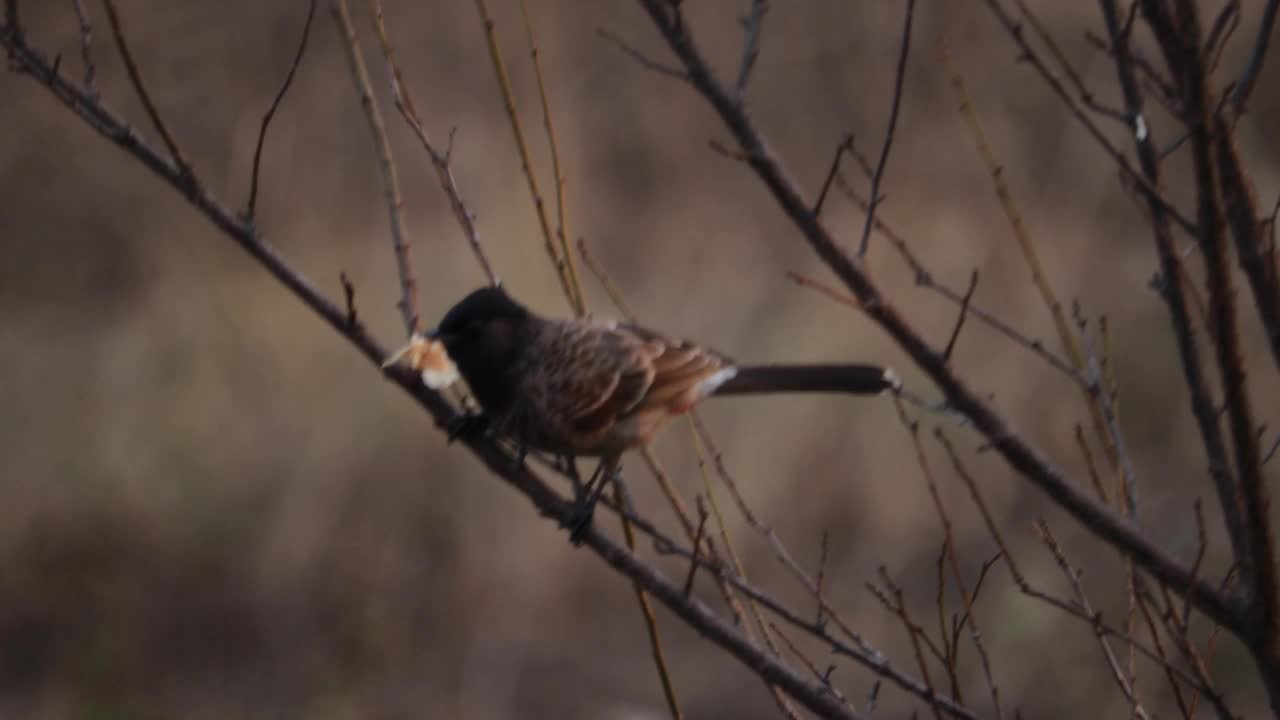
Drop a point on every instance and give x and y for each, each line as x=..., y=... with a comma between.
x=408, y=303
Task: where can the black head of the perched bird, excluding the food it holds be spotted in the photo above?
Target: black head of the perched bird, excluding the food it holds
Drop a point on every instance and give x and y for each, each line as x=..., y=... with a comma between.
x=484, y=335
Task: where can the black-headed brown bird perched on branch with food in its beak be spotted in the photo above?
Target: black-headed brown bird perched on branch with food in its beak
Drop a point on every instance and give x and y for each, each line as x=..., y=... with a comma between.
x=580, y=388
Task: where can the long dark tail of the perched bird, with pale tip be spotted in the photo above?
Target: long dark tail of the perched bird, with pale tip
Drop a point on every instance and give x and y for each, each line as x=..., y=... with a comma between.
x=857, y=380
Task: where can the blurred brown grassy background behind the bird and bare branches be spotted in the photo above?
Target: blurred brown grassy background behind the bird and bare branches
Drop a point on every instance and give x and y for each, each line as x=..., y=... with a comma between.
x=214, y=508
